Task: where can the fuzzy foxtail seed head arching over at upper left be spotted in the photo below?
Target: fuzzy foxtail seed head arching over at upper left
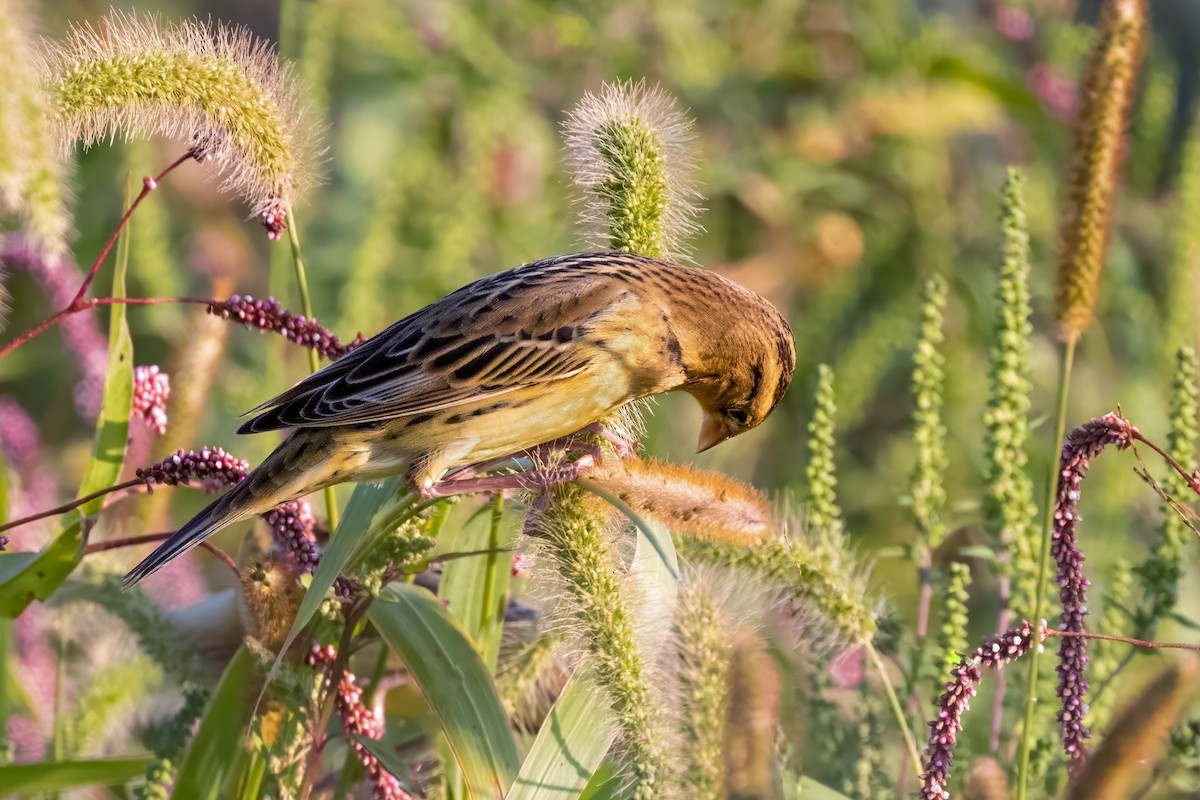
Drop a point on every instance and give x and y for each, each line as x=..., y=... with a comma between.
x=218, y=88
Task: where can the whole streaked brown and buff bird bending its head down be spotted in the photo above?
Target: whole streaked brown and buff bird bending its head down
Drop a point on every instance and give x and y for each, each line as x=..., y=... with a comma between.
x=506, y=364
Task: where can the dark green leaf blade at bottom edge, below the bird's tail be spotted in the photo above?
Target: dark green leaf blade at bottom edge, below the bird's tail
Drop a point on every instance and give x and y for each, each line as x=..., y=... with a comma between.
x=215, y=749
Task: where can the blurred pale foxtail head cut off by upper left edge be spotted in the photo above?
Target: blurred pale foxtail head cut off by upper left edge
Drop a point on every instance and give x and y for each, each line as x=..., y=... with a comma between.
x=32, y=173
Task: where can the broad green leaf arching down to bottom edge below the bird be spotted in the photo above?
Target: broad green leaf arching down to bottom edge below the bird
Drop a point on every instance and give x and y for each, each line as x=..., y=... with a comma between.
x=455, y=684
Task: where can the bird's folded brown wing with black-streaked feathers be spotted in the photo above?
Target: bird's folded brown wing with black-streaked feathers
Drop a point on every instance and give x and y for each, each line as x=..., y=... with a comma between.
x=511, y=332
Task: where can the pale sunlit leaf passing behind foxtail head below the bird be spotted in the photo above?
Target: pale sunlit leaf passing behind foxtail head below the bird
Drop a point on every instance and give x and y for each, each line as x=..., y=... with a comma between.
x=575, y=738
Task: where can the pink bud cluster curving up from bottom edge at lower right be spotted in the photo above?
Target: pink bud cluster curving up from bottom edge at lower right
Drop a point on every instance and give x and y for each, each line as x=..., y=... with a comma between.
x=995, y=653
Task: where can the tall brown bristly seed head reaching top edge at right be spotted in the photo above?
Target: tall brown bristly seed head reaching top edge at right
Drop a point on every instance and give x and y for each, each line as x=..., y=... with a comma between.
x=1097, y=151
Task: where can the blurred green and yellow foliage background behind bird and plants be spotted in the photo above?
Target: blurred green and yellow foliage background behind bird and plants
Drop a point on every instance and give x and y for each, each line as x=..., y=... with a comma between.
x=847, y=152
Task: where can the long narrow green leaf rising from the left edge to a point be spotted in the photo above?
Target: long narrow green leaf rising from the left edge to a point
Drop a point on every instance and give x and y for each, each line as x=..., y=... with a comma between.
x=35, y=578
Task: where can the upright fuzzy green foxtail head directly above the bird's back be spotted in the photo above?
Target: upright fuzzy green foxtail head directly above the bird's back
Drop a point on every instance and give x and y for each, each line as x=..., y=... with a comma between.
x=629, y=149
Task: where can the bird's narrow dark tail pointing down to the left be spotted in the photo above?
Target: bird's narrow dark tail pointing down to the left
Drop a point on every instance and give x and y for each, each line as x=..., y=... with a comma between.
x=304, y=464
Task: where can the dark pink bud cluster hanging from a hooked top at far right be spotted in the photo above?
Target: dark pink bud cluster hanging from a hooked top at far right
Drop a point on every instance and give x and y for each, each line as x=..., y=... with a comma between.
x=1084, y=444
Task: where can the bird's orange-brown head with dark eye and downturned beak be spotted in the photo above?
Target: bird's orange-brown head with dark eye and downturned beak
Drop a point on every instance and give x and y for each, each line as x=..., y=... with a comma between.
x=746, y=377
